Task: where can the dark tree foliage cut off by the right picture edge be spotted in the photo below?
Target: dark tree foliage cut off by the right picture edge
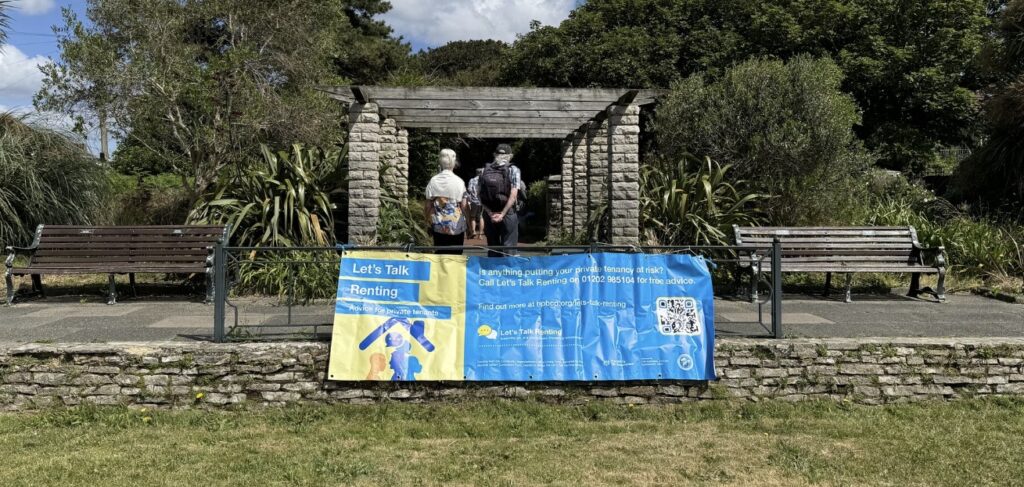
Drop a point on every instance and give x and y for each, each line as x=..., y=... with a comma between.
x=995, y=174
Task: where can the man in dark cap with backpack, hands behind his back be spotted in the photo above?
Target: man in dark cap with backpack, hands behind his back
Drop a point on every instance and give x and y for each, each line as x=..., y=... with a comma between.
x=498, y=190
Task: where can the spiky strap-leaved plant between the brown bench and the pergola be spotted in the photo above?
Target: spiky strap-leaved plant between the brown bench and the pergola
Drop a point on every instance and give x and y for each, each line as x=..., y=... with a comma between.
x=281, y=202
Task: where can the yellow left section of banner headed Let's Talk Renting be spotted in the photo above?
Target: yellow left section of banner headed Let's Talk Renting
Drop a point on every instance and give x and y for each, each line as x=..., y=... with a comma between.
x=400, y=317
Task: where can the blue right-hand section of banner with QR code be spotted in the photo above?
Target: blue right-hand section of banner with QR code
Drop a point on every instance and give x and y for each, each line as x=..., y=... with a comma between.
x=589, y=318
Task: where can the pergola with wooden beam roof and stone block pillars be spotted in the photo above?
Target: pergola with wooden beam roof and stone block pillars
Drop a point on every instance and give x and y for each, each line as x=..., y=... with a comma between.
x=600, y=128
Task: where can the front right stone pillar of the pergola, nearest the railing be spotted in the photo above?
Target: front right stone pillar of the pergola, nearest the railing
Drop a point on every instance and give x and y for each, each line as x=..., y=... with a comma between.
x=624, y=174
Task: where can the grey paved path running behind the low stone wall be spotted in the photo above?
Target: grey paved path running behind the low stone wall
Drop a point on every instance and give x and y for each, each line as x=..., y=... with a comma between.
x=67, y=320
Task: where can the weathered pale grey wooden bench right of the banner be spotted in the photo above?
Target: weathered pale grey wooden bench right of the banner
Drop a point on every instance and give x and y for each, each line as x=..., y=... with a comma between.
x=845, y=250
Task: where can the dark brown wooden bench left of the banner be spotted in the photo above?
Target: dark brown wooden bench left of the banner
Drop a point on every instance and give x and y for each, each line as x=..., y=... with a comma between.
x=116, y=250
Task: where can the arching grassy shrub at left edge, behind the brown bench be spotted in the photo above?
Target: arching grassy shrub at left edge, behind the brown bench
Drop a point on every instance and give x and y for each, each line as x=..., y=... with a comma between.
x=46, y=178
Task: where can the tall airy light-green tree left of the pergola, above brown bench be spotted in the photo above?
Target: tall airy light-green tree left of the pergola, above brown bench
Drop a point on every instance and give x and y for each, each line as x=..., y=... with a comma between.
x=202, y=83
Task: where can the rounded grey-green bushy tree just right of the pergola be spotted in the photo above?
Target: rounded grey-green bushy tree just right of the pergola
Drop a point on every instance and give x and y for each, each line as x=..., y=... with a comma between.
x=785, y=127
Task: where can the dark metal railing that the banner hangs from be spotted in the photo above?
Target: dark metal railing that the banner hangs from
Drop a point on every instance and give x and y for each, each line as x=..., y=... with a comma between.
x=232, y=262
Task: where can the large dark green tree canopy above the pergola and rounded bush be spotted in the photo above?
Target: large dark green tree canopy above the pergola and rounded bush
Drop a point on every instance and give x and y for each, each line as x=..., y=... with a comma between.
x=906, y=62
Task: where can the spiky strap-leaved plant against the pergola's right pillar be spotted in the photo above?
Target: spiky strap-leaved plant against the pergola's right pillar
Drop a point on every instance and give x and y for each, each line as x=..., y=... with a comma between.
x=692, y=202
